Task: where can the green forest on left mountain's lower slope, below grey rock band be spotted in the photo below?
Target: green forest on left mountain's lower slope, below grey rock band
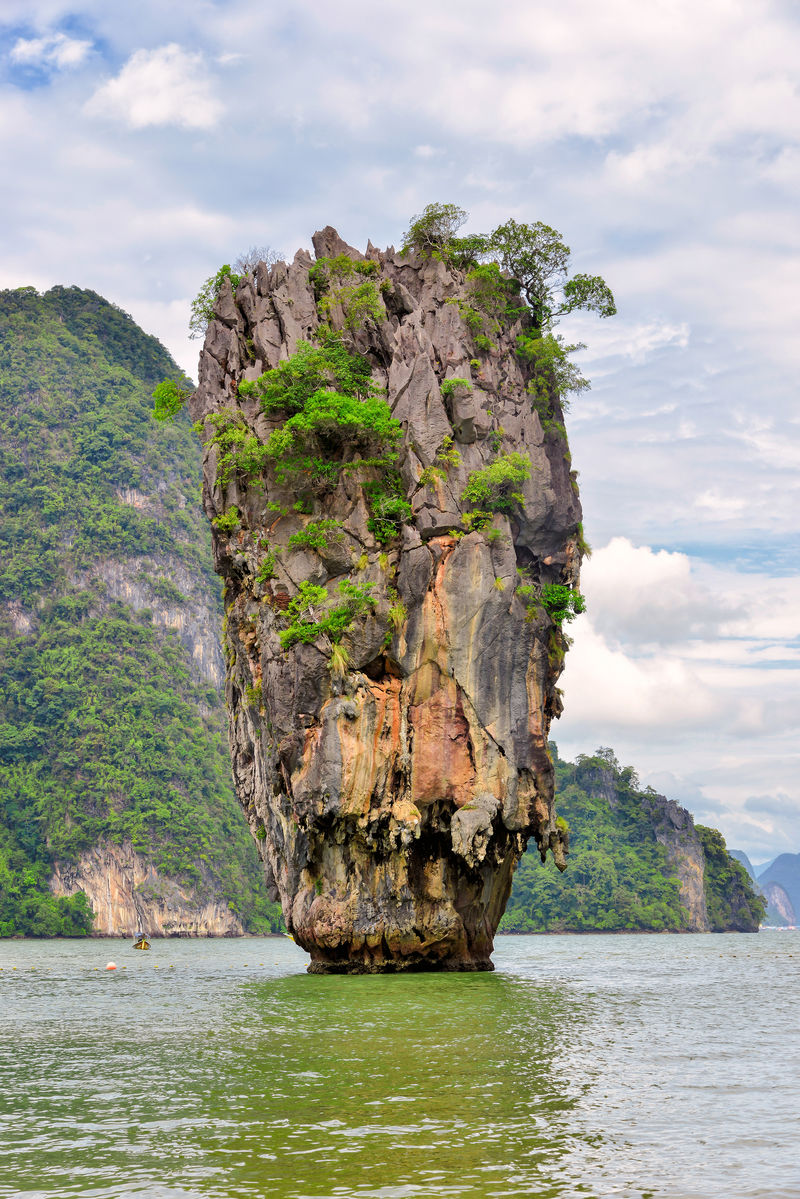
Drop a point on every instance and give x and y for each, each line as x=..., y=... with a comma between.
x=103, y=737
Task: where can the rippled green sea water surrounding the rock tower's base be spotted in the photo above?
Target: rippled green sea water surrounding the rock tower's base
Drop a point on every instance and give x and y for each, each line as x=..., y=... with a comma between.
x=597, y=1067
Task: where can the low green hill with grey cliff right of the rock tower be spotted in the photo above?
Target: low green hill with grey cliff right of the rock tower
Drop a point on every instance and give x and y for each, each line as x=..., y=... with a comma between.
x=637, y=864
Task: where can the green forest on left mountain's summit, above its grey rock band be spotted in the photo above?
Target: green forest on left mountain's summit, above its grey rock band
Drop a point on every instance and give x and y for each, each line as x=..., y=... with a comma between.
x=76, y=437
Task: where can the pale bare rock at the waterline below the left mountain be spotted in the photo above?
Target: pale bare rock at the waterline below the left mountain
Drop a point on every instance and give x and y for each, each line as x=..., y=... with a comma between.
x=129, y=896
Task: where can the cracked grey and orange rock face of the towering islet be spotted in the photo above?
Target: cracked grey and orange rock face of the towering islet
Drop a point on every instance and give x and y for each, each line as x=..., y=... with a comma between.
x=394, y=766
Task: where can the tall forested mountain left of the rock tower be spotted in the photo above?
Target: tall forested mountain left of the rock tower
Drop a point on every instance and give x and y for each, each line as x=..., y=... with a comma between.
x=113, y=748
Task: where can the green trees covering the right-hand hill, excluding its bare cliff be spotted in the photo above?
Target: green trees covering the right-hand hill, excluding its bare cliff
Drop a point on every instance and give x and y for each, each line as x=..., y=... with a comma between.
x=618, y=877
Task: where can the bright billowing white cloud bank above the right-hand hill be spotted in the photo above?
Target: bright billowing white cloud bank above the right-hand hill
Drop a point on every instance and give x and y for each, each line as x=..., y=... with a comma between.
x=690, y=672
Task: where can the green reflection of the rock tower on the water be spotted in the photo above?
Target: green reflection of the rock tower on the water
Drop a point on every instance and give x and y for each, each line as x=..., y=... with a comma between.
x=410, y=1086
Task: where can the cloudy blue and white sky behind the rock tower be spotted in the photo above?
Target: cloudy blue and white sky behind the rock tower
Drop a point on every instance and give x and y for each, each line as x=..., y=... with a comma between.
x=146, y=144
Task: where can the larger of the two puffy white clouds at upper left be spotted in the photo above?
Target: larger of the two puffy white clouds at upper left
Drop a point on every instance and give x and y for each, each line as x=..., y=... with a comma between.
x=165, y=87
